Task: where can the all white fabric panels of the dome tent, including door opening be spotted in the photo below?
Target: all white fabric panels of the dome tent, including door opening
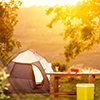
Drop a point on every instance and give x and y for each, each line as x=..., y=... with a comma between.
x=30, y=57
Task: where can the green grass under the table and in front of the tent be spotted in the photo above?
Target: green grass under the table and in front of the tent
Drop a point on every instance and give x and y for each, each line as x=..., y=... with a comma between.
x=66, y=84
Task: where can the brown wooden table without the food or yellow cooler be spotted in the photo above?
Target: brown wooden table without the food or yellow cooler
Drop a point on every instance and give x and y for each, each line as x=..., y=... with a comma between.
x=54, y=81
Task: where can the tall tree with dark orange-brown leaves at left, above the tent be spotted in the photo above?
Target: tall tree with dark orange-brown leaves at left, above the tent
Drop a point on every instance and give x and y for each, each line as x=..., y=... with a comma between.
x=8, y=20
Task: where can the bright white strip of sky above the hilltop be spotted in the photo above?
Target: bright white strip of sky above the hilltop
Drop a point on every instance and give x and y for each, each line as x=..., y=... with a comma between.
x=28, y=3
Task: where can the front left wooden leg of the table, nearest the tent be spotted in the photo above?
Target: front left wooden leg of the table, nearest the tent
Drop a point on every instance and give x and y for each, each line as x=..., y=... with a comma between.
x=52, y=86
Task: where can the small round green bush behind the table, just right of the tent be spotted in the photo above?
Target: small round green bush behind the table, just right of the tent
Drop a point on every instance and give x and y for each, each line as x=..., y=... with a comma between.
x=60, y=64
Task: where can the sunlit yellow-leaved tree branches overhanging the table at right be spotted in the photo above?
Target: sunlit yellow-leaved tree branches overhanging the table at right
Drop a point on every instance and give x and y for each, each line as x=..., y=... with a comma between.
x=81, y=26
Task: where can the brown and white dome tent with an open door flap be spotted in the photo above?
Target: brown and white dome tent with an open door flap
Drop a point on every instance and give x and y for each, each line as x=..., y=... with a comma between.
x=27, y=73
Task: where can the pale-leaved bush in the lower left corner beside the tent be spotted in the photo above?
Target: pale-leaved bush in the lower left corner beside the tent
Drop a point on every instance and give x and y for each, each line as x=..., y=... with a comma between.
x=3, y=84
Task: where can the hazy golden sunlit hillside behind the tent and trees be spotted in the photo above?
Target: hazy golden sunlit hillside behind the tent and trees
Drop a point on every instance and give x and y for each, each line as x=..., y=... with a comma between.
x=31, y=30
